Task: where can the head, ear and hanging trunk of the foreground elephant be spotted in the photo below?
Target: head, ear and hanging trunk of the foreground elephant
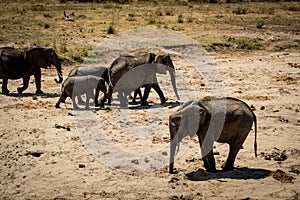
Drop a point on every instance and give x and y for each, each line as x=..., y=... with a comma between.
x=184, y=122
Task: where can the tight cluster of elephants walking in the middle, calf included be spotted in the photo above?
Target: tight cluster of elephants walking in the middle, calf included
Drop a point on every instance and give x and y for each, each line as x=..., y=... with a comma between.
x=125, y=74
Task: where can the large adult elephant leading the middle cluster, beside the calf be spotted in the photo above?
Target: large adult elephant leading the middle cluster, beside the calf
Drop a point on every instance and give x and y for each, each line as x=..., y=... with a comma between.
x=128, y=73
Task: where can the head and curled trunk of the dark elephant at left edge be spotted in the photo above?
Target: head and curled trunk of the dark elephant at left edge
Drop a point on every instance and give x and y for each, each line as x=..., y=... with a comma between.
x=52, y=59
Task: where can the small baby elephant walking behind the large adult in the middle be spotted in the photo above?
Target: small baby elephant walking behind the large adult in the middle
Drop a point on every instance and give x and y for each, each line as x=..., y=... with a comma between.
x=78, y=85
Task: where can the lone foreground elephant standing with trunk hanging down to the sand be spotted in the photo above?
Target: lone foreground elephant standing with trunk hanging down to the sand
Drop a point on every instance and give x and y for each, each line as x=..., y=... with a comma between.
x=196, y=117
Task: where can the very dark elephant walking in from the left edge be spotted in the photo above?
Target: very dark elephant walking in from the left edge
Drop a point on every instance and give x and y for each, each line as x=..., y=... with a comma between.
x=22, y=63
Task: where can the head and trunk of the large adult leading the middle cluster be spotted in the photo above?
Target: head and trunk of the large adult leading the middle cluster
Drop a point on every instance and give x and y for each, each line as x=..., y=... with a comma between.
x=165, y=63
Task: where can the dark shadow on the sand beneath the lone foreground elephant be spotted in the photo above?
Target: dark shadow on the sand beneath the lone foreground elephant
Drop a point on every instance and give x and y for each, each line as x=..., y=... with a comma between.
x=238, y=173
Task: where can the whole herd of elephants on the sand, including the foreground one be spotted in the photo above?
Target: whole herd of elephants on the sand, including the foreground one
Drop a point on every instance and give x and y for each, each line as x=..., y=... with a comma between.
x=226, y=120
